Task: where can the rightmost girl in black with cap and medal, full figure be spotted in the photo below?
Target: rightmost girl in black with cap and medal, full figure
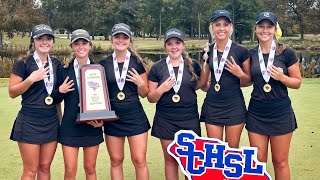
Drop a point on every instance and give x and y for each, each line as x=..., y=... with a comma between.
x=274, y=68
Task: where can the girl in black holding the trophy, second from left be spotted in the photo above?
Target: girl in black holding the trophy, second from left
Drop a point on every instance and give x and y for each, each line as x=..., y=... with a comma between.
x=72, y=136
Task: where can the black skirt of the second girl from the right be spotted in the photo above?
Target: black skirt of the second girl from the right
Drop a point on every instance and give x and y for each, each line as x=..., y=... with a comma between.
x=228, y=110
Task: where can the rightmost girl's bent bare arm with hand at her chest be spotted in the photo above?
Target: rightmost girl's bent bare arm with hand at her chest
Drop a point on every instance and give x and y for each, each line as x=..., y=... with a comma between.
x=293, y=80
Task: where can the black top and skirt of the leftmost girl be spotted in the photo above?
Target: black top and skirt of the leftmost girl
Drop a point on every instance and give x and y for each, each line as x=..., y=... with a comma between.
x=36, y=122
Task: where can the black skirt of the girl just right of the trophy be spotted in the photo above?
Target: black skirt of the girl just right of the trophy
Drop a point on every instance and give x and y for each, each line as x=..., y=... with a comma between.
x=132, y=120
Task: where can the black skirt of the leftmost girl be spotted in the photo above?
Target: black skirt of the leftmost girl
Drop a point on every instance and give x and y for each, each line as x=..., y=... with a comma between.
x=36, y=126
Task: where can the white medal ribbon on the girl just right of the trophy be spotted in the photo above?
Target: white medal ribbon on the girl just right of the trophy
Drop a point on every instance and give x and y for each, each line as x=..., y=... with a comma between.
x=121, y=80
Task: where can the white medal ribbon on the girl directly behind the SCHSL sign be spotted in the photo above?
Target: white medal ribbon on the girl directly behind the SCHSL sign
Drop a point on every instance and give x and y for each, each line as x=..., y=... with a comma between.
x=178, y=79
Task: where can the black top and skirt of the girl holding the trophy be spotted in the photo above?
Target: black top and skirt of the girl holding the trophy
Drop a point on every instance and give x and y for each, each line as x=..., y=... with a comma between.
x=70, y=133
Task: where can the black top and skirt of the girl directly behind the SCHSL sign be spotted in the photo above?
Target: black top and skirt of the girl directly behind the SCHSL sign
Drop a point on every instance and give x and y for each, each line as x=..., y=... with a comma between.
x=171, y=117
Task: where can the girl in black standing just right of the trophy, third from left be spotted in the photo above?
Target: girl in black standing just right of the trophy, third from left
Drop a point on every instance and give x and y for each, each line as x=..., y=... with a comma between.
x=127, y=80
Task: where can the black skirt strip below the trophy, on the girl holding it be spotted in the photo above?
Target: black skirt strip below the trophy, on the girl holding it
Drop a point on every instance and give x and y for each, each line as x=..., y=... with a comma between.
x=81, y=141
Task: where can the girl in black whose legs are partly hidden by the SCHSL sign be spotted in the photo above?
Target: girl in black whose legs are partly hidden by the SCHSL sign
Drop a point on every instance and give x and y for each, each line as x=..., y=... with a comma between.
x=172, y=83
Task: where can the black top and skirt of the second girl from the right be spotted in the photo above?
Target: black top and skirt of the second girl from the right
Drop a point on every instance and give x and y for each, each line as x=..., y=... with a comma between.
x=225, y=107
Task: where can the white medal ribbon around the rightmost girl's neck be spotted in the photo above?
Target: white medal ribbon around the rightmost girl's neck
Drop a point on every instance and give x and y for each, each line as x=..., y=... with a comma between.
x=263, y=68
